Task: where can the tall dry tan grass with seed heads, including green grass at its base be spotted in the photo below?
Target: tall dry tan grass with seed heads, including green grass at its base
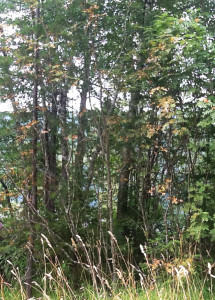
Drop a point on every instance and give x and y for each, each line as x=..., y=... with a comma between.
x=154, y=279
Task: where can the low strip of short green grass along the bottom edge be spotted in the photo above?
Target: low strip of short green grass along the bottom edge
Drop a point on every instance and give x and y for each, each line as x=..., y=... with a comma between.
x=197, y=290
